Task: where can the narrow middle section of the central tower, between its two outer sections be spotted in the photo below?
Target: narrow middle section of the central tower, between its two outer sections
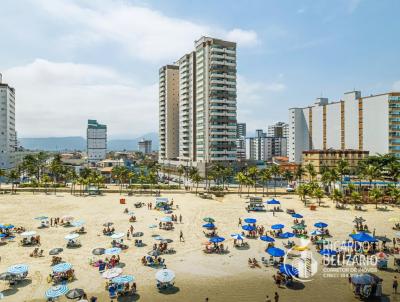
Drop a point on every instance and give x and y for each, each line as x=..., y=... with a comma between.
x=187, y=107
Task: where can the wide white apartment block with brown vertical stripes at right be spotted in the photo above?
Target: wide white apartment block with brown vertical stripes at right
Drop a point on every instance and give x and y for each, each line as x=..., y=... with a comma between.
x=368, y=123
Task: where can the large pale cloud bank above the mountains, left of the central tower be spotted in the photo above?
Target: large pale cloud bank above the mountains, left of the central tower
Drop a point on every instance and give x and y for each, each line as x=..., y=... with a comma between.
x=54, y=99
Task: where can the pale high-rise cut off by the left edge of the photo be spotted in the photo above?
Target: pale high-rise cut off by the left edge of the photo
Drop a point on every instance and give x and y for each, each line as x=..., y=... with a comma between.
x=8, y=135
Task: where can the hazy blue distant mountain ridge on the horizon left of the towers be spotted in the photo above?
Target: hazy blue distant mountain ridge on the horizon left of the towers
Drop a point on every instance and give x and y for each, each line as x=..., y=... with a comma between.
x=79, y=143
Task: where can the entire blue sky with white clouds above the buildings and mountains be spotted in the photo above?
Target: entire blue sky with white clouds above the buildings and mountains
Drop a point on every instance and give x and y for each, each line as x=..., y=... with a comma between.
x=73, y=60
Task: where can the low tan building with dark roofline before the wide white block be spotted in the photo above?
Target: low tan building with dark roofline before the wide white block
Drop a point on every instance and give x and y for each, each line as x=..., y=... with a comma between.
x=329, y=158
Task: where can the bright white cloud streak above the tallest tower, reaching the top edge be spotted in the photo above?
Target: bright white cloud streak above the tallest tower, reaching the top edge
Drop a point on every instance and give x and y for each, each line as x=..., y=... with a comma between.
x=143, y=32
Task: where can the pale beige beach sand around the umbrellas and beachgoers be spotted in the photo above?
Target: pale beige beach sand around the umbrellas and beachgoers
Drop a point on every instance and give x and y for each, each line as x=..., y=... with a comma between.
x=219, y=277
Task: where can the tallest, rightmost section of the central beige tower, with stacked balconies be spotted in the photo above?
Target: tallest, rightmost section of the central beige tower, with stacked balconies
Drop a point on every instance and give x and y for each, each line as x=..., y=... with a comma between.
x=215, y=100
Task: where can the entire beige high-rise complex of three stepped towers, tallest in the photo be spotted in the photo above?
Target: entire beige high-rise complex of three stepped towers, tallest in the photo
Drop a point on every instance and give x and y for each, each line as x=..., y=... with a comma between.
x=198, y=104
